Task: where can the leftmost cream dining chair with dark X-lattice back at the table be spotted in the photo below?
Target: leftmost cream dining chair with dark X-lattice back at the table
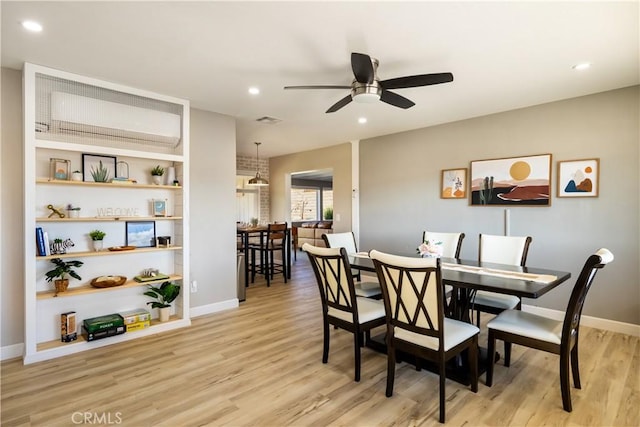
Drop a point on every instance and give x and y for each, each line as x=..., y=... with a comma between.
x=341, y=306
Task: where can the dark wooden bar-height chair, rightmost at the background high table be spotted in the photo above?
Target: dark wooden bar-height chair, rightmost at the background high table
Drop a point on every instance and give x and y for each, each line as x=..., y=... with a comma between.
x=275, y=240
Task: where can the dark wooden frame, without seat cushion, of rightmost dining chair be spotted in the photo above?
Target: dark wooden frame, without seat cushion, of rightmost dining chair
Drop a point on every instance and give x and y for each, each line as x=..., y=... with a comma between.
x=568, y=347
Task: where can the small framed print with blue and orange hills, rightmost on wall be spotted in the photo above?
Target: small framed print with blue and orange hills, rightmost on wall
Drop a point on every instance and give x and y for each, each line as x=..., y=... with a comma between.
x=578, y=178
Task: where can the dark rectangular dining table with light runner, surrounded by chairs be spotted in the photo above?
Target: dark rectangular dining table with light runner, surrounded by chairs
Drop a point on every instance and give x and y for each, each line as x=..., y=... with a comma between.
x=469, y=276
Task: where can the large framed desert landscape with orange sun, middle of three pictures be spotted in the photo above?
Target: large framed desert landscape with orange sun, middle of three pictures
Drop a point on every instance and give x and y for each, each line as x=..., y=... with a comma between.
x=514, y=181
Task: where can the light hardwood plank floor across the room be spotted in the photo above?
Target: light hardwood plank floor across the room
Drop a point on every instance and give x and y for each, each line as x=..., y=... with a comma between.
x=260, y=365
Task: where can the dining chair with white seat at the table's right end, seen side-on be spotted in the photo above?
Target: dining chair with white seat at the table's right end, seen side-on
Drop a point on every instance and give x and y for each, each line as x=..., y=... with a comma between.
x=541, y=333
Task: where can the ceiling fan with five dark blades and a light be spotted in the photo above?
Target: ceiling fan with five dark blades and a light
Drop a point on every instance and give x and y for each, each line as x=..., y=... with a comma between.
x=367, y=87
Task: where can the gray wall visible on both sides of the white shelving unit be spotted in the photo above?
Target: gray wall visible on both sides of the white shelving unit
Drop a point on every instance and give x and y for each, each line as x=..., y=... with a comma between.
x=212, y=209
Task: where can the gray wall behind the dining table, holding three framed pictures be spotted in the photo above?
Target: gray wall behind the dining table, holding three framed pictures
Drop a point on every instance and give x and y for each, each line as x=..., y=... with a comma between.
x=400, y=181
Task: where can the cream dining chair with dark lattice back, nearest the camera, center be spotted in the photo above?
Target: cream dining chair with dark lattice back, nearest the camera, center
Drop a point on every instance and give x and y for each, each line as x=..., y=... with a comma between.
x=412, y=292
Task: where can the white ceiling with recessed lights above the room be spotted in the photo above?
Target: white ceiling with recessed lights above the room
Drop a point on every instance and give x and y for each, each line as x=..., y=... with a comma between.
x=504, y=55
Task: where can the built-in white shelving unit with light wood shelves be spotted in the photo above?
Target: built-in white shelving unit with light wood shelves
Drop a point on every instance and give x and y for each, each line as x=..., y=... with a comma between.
x=65, y=117
